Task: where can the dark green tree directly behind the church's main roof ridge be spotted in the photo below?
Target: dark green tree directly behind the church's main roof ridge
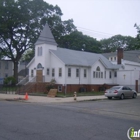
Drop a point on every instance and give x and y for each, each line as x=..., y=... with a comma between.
x=77, y=41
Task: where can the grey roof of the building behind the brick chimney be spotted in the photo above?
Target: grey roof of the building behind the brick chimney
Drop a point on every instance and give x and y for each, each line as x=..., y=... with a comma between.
x=133, y=55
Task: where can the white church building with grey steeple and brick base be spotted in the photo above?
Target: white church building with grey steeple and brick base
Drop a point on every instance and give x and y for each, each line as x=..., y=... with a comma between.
x=79, y=70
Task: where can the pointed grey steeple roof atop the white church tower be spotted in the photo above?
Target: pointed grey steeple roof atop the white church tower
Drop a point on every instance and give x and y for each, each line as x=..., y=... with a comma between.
x=46, y=36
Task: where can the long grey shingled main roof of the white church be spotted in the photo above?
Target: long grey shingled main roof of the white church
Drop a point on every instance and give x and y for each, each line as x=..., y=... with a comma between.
x=81, y=58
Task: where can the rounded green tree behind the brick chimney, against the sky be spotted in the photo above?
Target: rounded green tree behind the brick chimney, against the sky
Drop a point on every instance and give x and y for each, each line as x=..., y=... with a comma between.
x=118, y=41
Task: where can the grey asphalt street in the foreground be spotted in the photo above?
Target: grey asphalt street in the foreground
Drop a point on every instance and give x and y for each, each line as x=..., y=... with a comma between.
x=90, y=120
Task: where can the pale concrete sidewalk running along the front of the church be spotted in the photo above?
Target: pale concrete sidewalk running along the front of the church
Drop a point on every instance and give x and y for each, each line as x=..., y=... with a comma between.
x=45, y=99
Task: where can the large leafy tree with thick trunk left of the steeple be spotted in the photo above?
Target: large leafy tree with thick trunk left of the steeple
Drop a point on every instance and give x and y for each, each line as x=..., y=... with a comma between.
x=21, y=22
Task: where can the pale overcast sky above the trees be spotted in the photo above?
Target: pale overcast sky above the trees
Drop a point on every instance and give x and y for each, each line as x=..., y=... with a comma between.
x=101, y=18
